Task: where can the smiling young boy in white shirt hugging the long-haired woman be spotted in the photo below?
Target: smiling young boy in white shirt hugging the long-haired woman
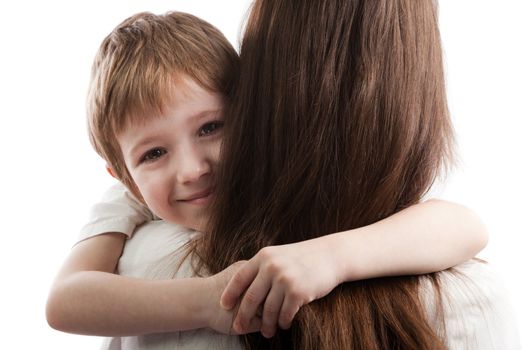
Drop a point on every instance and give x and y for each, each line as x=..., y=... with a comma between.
x=159, y=85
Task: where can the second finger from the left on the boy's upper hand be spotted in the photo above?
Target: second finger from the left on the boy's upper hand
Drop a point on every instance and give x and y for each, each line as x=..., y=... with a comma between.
x=250, y=302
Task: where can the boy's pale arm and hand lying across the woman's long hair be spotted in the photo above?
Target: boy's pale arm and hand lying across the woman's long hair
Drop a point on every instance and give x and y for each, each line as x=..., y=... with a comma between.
x=424, y=238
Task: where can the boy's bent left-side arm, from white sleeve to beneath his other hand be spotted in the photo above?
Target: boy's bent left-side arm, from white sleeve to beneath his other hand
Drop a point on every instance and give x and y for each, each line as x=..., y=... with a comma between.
x=88, y=298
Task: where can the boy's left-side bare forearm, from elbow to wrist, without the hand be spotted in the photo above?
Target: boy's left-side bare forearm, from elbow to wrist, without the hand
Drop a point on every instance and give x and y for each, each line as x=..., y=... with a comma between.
x=104, y=304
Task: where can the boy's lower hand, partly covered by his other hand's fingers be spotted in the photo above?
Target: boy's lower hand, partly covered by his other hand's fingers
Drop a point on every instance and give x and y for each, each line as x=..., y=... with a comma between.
x=218, y=318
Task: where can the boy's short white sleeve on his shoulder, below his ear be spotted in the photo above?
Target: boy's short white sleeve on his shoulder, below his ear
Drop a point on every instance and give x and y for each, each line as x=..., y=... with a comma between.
x=118, y=211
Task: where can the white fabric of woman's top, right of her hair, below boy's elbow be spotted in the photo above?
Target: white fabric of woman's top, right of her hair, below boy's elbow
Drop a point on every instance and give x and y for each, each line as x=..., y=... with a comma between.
x=477, y=311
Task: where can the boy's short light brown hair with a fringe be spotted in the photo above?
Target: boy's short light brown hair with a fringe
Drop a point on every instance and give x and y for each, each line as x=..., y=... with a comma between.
x=137, y=67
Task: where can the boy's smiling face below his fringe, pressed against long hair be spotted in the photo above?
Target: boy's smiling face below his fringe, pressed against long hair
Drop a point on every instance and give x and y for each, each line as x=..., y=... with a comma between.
x=172, y=159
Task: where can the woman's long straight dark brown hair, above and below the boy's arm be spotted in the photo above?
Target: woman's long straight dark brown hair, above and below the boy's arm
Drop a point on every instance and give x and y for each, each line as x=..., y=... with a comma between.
x=339, y=120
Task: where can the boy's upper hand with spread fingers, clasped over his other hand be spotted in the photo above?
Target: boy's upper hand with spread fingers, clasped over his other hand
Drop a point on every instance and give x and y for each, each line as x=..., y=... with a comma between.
x=280, y=279
